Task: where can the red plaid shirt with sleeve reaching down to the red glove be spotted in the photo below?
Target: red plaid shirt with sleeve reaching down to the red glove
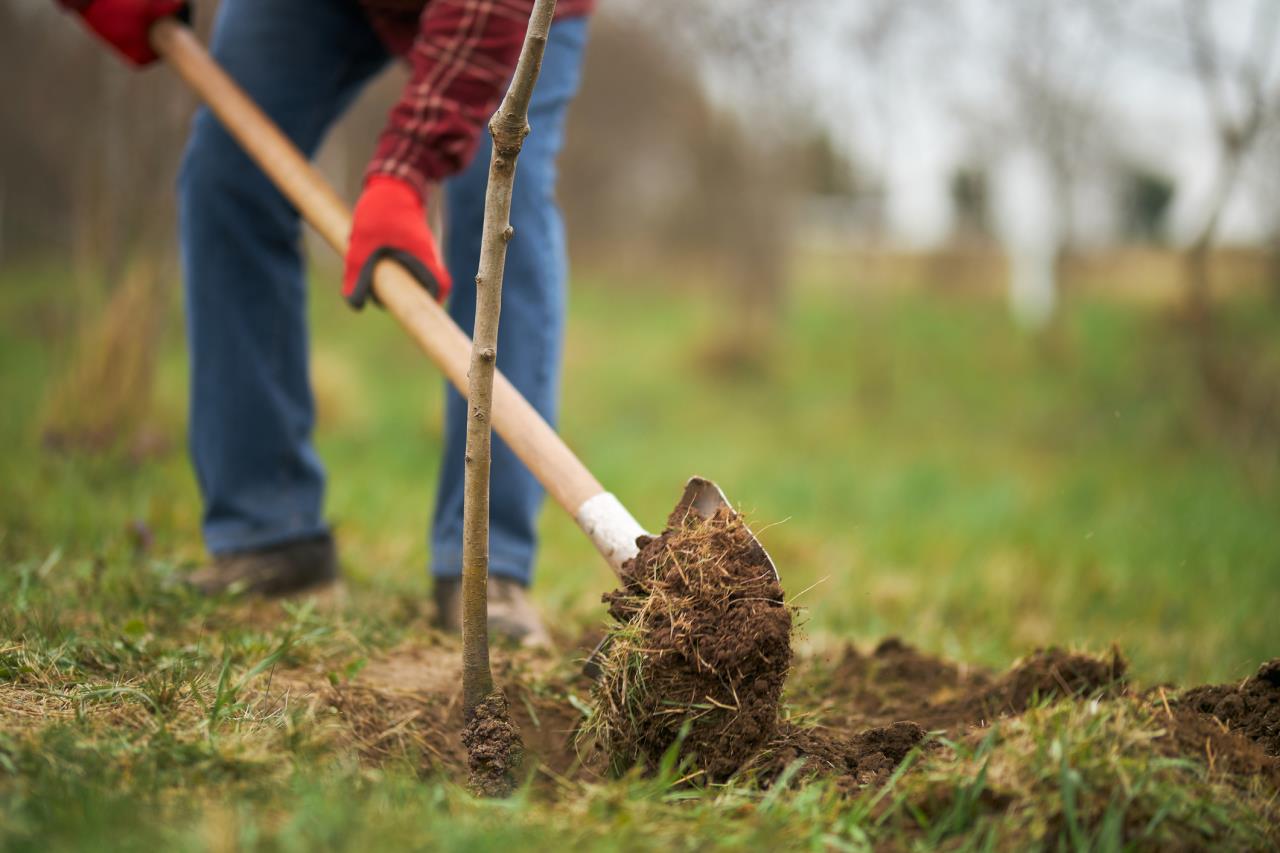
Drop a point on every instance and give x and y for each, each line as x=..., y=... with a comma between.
x=461, y=54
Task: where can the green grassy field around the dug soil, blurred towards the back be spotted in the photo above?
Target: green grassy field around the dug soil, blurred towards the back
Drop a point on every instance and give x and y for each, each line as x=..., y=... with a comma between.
x=918, y=468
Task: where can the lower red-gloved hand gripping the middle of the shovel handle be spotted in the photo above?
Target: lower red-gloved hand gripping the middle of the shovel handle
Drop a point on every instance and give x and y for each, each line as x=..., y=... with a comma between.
x=391, y=222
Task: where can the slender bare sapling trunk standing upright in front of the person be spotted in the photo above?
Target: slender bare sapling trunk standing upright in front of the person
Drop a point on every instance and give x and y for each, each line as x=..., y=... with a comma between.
x=509, y=127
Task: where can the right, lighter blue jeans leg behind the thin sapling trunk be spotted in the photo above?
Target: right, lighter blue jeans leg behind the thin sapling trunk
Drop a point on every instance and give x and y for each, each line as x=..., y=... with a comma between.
x=533, y=316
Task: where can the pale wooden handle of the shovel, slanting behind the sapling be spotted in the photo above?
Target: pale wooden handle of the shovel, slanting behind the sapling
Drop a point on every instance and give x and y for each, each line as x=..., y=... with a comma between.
x=527, y=434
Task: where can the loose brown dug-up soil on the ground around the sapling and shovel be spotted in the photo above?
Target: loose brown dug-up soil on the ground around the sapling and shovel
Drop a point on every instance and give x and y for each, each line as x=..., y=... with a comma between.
x=853, y=718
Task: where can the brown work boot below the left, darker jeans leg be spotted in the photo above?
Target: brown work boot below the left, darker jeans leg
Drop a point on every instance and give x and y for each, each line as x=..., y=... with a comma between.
x=272, y=572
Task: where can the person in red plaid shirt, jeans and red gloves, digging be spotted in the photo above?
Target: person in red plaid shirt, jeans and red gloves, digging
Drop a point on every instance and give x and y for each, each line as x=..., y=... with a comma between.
x=252, y=412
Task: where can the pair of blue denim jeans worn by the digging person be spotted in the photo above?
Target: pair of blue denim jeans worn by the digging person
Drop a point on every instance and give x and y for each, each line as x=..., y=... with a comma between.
x=252, y=410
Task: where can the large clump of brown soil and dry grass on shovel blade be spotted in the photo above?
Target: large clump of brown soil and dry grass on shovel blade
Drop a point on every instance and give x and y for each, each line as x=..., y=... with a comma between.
x=701, y=649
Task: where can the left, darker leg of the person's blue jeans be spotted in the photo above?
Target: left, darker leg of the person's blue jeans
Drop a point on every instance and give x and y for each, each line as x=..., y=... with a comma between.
x=252, y=409
